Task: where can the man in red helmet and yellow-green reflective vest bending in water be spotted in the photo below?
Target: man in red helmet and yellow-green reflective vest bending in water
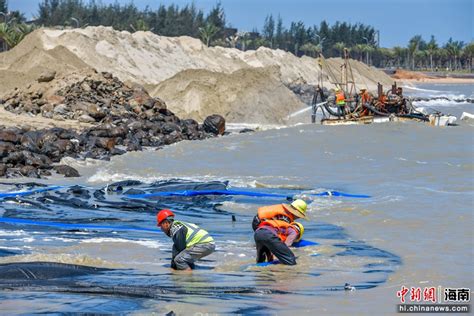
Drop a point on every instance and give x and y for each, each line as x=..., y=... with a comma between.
x=190, y=243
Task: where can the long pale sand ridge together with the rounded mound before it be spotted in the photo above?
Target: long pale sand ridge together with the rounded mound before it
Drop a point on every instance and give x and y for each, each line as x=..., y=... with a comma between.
x=149, y=59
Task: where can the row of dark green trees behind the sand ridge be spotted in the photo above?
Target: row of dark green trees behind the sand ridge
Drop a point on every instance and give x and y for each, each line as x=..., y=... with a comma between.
x=212, y=28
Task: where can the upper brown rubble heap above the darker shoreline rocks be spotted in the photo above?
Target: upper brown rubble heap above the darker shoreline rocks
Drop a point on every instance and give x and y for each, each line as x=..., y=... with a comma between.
x=92, y=99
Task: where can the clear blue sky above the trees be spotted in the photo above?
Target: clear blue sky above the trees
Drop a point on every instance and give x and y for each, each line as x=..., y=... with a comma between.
x=397, y=20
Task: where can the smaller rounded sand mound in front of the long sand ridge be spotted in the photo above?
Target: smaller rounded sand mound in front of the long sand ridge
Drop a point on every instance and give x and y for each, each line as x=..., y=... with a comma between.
x=250, y=95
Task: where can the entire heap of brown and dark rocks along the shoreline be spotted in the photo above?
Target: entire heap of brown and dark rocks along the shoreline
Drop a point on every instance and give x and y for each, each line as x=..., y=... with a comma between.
x=125, y=119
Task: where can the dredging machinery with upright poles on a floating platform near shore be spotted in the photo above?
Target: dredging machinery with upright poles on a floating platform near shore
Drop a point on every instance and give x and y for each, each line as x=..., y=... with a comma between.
x=348, y=106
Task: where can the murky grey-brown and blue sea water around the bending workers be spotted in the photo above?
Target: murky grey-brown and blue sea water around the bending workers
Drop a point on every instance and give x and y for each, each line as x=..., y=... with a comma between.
x=414, y=231
